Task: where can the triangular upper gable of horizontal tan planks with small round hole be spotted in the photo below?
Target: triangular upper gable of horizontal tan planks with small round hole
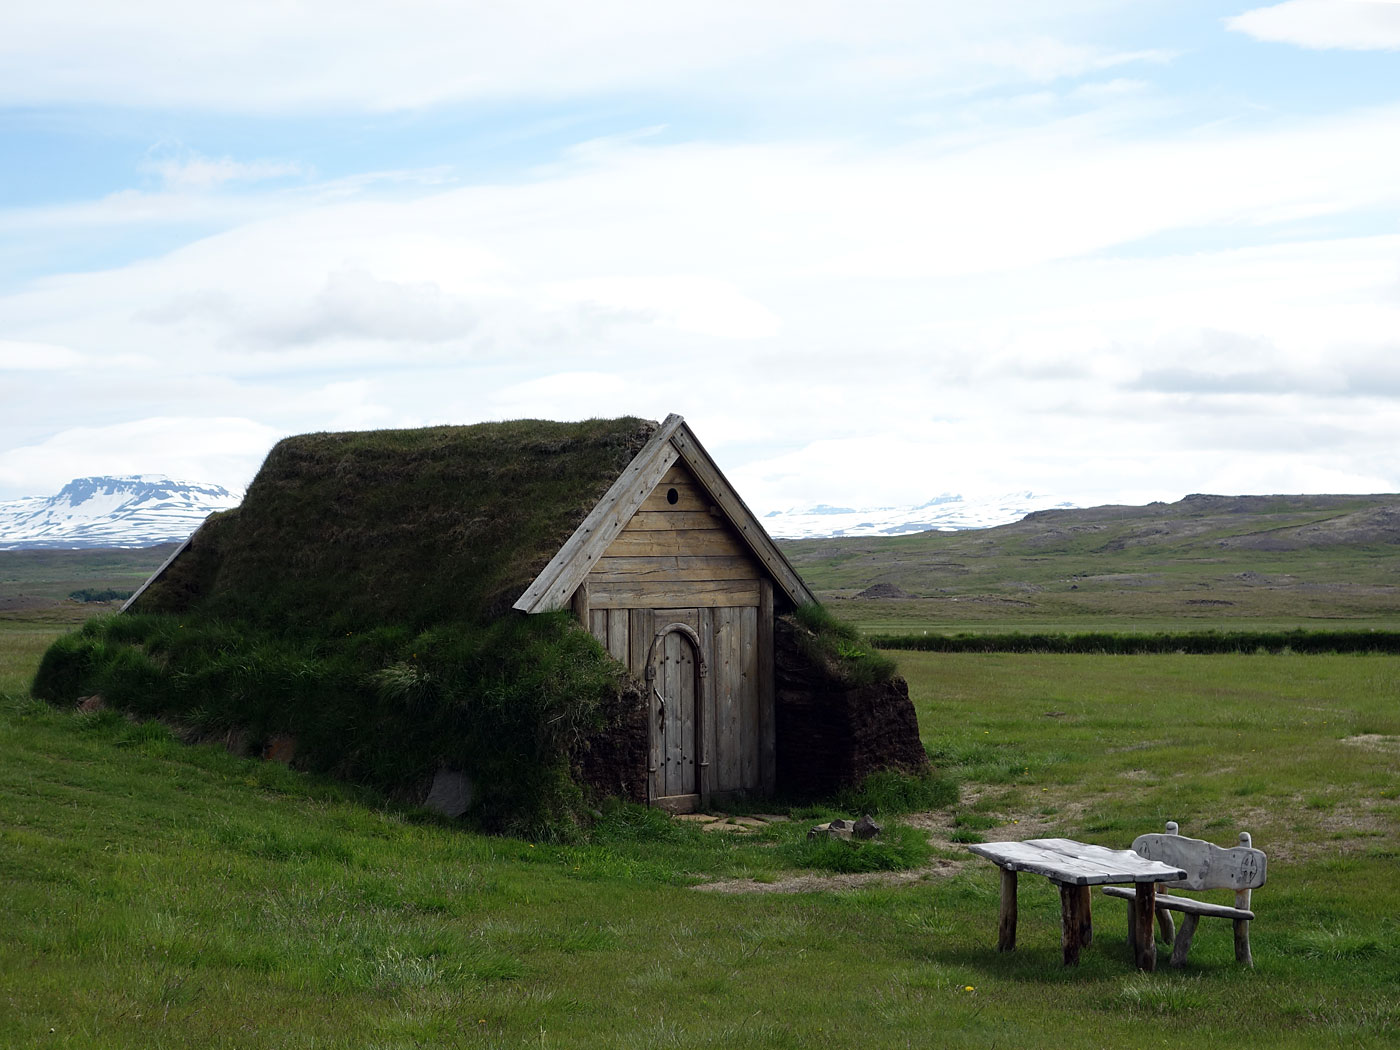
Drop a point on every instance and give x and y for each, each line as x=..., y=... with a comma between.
x=678, y=551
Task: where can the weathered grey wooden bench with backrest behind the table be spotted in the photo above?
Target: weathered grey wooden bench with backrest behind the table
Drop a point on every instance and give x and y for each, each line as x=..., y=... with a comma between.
x=1207, y=866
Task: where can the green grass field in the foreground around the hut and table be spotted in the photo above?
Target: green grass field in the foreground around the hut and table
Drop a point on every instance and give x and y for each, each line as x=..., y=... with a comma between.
x=159, y=895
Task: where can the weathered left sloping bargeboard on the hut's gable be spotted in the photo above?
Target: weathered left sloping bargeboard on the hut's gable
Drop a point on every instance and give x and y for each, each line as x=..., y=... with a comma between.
x=558, y=582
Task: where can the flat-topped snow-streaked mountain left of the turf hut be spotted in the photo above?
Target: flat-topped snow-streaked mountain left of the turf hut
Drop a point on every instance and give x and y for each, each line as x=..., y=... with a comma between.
x=129, y=512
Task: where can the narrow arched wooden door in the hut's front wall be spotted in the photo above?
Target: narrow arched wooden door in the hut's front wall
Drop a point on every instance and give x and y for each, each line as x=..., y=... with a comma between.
x=675, y=727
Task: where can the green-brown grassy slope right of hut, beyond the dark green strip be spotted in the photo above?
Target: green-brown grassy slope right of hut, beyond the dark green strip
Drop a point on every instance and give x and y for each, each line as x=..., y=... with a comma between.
x=1198, y=563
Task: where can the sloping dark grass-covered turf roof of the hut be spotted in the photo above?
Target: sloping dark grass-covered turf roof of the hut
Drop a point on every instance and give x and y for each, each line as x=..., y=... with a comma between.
x=412, y=527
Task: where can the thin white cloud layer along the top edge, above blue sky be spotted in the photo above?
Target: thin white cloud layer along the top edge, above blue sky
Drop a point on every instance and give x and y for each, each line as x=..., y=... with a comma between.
x=269, y=57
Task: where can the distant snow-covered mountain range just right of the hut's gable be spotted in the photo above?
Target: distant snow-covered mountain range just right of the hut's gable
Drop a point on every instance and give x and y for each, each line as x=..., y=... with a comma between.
x=944, y=514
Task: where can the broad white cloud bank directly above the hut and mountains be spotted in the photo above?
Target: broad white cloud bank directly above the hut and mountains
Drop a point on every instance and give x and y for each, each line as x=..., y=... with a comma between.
x=841, y=324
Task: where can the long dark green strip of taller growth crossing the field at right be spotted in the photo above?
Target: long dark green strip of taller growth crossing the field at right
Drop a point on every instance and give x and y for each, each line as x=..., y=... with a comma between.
x=1196, y=643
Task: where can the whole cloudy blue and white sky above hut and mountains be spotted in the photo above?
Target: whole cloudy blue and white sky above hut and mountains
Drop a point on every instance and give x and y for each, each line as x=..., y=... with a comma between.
x=1109, y=251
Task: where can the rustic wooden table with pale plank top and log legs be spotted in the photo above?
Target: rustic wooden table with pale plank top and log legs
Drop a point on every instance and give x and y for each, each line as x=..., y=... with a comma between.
x=1074, y=867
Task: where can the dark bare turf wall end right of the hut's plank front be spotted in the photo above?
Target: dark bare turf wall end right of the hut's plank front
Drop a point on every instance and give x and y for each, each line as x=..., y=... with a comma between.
x=832, y=734
